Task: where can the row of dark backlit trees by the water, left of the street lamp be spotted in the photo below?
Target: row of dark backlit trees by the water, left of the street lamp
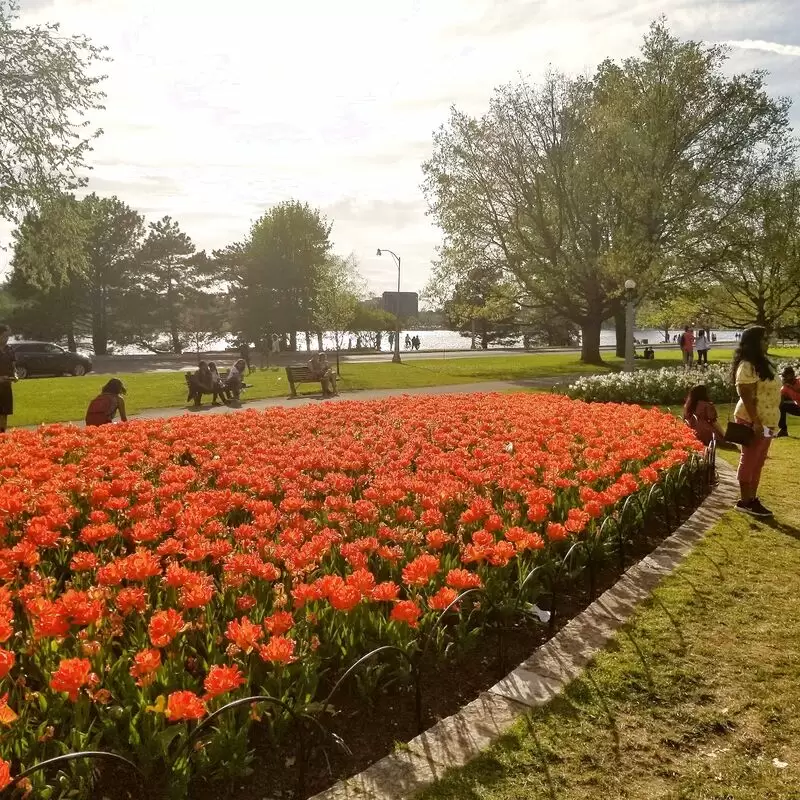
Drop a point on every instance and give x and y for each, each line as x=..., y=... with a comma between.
x=93, y=268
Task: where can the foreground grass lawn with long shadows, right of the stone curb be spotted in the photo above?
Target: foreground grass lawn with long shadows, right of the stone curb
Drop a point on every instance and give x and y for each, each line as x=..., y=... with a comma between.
x=714, y=714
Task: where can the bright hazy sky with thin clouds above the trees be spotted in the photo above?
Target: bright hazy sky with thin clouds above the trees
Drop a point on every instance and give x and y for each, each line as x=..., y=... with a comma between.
x=217, y=110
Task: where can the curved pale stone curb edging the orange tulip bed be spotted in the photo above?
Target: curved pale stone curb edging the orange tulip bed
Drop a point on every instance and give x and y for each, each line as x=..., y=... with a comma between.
x=455, y=740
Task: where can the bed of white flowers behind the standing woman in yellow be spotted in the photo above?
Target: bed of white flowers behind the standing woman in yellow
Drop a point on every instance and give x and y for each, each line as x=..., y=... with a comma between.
x=663, y=387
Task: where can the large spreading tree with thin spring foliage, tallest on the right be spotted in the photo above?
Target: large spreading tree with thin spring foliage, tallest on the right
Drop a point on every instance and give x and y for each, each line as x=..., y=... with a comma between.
x=571, y=187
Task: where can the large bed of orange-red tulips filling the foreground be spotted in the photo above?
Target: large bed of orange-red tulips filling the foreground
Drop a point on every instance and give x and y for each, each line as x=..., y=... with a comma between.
x=156, y=572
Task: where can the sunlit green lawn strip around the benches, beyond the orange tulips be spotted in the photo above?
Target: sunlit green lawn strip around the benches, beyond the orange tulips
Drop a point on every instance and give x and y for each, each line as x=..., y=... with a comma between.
x=64, y=399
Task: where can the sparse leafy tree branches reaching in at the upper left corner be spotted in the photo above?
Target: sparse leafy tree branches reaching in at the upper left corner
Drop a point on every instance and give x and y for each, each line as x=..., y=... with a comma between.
x=48, y=91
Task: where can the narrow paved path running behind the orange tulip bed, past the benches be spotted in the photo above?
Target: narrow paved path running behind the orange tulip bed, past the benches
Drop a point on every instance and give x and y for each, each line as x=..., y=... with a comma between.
x=367, y=394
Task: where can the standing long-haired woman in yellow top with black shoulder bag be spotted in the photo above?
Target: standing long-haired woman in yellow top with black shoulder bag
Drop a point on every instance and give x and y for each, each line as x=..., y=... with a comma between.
x=759, y=407
